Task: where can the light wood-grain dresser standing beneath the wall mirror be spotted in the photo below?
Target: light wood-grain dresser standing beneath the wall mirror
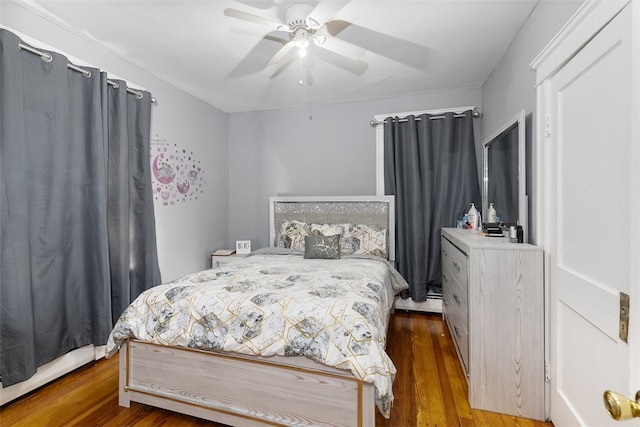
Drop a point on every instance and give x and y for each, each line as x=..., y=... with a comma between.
x=493, y=297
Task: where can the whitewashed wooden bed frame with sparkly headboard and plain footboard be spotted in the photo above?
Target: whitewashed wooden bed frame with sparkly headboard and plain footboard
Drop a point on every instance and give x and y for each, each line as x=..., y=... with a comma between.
x=242, y=390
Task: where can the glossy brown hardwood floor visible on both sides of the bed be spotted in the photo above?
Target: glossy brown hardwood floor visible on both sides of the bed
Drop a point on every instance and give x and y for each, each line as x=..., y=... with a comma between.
x=430, y=390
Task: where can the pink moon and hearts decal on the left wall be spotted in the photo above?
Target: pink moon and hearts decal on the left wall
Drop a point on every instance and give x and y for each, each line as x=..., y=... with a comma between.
x=177, y=176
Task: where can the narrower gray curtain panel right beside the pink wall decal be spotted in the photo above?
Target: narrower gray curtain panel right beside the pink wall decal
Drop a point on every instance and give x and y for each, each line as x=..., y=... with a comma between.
x=131, y=222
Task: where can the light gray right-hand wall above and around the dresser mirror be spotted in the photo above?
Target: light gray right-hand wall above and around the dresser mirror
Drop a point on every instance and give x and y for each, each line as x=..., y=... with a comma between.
x=511, y=86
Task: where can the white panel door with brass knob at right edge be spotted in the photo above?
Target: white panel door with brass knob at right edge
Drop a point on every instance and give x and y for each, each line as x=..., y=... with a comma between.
x=593, y=228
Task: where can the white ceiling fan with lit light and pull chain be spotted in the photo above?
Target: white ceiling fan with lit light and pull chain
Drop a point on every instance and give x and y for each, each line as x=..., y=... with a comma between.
x=306, y=27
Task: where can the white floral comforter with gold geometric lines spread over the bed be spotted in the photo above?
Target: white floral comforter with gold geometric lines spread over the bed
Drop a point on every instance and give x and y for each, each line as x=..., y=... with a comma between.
x=332, y=311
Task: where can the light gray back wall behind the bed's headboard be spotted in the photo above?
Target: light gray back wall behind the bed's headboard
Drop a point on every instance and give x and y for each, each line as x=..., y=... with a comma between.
x=285, y=152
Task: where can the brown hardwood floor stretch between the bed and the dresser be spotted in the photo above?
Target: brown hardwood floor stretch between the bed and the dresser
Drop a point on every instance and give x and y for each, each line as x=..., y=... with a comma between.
x=430, y=388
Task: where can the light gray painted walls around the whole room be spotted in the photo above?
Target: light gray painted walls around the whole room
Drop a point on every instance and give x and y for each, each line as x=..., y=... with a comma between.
x=248, y=157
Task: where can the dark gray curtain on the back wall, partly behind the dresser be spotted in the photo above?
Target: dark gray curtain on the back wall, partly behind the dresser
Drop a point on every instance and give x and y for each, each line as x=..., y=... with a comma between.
x=430, y=167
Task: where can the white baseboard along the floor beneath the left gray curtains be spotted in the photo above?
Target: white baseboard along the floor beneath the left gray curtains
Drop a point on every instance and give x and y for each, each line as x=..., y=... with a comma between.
x=52, y=370
